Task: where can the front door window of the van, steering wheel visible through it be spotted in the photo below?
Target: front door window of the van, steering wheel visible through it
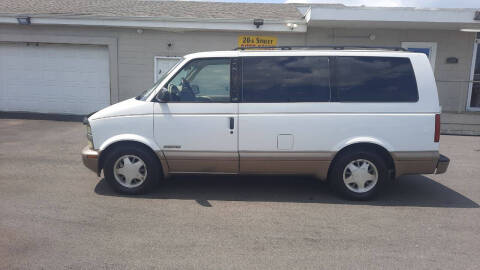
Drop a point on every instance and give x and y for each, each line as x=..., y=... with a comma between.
x=202, y=80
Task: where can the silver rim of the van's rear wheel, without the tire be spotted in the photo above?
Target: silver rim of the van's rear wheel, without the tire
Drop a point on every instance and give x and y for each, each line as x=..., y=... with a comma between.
x=360, y=175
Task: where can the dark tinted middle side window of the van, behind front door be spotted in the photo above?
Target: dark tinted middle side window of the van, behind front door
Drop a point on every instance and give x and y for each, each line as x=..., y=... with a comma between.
x=286, y=79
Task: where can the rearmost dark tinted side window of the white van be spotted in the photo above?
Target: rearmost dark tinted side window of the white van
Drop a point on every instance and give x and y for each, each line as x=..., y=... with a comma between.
x=374, y=79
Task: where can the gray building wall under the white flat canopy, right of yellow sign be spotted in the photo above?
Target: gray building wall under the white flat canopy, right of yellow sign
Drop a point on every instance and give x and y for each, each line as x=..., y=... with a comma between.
x=452, y=79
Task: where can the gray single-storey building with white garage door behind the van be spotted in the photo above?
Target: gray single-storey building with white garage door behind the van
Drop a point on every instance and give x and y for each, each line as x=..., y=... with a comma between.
x=76, y=56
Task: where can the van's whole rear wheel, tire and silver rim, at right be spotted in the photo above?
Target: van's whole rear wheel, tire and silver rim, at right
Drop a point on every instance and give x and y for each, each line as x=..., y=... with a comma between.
x=358, y=175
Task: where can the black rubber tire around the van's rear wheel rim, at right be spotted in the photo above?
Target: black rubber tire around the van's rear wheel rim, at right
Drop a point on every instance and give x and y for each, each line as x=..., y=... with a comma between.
x=337, y=171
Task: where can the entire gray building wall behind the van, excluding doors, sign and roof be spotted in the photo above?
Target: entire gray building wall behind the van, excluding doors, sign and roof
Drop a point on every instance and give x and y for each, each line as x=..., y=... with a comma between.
x=135, y=55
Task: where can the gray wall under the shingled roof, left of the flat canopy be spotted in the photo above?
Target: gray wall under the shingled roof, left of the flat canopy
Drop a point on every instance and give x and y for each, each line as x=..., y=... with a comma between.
x=136, y=51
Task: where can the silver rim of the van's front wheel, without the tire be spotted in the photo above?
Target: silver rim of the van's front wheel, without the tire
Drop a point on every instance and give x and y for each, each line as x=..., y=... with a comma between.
x=130, y=171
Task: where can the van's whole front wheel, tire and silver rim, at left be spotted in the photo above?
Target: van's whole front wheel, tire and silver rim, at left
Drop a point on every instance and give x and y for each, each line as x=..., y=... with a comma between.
x=131, y=170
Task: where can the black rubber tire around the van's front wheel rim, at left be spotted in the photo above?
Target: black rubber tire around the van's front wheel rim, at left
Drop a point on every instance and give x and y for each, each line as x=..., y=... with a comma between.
x=152, y=169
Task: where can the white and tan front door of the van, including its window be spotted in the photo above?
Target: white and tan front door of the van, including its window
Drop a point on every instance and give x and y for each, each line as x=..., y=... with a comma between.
x=197, y=128
